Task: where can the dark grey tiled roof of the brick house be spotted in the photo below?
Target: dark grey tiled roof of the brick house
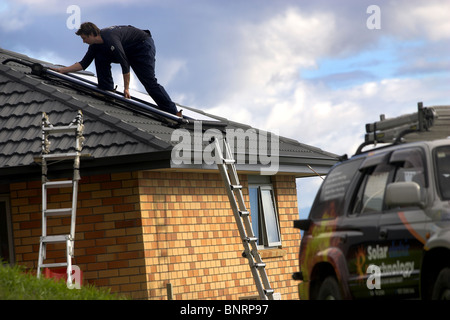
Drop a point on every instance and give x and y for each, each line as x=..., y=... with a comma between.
x=116, y=132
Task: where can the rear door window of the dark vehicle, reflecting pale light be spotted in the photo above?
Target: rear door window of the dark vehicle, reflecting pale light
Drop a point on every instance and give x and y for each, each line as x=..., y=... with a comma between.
x=370, y=195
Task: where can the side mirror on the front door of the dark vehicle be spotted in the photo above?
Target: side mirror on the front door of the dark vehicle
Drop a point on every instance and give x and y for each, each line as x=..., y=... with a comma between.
x=403, y=194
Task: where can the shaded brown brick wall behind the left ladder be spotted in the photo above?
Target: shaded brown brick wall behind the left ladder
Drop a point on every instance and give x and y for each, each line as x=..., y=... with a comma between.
x=108, y=244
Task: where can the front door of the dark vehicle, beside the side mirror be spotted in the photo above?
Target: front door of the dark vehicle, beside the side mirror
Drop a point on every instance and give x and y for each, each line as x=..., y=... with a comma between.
x=402, y=229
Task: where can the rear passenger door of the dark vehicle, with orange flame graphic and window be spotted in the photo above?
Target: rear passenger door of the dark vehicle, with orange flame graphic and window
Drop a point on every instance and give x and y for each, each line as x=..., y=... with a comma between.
x=365, y=208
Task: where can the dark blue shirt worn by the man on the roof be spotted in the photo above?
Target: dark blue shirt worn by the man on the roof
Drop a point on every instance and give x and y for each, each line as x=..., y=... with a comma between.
x=118, y=41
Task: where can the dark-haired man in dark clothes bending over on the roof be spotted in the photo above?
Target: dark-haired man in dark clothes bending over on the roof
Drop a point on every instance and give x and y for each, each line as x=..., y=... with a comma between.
x=131, y=48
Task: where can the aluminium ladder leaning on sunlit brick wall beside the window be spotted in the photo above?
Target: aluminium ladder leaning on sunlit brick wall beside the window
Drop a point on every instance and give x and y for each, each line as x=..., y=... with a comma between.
x=227, y=168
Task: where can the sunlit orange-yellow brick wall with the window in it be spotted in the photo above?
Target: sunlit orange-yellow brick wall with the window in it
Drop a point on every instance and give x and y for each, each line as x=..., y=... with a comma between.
x=191, y=239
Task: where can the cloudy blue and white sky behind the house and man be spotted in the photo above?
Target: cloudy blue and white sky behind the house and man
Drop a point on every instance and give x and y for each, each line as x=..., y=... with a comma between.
x=315, y=71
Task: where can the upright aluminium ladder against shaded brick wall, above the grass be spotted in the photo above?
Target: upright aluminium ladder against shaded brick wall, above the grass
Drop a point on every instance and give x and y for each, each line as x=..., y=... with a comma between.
x=75, y=127
